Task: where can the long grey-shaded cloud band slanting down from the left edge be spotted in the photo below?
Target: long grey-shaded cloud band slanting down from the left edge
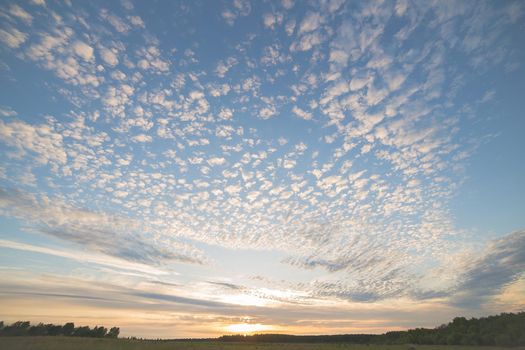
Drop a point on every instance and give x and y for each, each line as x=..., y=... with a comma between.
x=111, y=235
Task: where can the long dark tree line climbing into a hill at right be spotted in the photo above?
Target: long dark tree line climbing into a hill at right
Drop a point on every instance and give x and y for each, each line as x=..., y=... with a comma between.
x=506, y=329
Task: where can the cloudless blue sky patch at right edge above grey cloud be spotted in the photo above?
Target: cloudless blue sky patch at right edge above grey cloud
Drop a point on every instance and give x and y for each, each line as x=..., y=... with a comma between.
x=492, y=198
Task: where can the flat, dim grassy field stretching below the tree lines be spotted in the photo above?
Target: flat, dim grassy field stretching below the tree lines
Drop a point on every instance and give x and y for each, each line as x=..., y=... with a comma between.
x=66, y=343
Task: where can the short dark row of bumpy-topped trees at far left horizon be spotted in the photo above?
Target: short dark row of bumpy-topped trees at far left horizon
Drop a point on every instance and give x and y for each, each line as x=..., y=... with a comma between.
x=24, y=328
